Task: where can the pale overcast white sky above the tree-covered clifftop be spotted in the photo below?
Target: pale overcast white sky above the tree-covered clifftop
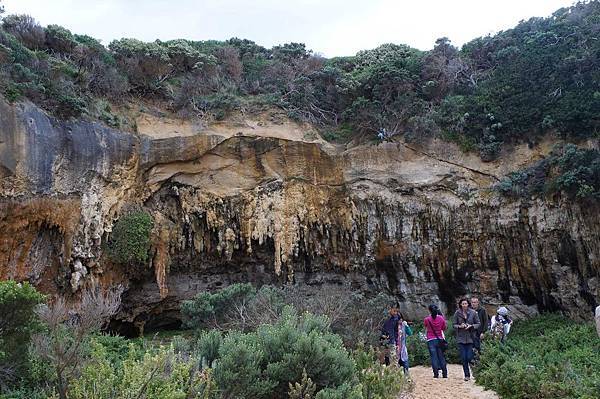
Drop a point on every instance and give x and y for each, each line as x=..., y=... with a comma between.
x=329, y=27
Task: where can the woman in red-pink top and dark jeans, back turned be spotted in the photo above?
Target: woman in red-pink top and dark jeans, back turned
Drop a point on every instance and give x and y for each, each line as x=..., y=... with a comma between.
x=435, y=324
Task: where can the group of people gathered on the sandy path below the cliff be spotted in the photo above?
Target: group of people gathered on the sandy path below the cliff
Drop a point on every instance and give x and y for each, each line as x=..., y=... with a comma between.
x=470, y=323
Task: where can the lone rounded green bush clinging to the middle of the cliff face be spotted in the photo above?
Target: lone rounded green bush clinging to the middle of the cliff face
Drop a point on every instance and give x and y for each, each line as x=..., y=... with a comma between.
x=130, y=239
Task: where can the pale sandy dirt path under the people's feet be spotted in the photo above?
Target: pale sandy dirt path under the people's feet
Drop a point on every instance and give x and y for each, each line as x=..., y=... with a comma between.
x=427, y=387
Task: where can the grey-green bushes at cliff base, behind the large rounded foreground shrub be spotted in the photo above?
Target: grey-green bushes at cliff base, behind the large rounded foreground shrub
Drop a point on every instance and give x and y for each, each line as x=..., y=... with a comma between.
x=239, y=306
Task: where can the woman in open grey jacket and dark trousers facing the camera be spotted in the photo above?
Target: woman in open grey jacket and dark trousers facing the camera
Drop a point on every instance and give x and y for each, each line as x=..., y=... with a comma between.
x=466, y=323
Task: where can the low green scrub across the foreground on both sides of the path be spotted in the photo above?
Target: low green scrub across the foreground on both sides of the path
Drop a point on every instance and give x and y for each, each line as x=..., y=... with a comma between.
x=293, y=353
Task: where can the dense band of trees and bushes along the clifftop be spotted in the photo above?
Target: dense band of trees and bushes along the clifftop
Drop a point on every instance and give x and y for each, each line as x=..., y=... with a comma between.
x=541, y=76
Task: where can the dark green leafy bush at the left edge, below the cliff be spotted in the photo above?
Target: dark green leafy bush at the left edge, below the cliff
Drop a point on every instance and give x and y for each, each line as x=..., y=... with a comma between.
x=18, y=322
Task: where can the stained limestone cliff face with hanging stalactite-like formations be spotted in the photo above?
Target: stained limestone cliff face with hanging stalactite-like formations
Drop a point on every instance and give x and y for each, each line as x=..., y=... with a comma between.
x=420, y=223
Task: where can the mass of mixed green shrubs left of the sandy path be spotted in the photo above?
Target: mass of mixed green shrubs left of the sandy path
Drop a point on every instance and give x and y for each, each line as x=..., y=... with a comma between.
x=279, y=353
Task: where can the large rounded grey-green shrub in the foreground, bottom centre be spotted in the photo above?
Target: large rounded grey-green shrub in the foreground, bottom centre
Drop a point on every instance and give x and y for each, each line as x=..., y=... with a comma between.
x=262, y=364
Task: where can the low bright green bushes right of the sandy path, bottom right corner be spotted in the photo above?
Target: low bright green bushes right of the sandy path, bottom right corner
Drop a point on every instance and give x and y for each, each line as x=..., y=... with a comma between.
x=546, y=357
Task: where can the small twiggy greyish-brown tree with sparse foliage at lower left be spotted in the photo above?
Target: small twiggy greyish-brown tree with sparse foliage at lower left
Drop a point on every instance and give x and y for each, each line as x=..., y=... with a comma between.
x=63, y=344
